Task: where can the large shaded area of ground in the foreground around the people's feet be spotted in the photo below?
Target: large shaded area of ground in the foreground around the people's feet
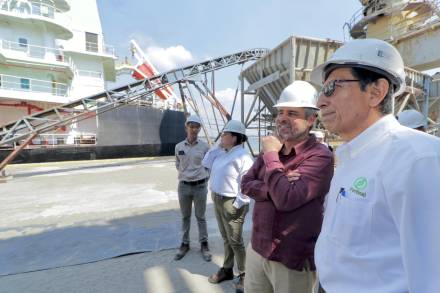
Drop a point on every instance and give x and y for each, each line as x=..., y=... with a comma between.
x=84, y=257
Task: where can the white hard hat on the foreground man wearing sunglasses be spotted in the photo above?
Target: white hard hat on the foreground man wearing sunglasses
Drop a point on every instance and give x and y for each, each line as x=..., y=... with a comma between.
x=371, y=54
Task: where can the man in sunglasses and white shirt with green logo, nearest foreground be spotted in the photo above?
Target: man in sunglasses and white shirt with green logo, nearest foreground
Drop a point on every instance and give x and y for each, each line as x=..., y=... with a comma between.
x=380, y=231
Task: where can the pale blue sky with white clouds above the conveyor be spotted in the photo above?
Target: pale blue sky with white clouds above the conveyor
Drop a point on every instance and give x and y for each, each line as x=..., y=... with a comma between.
x=176, y=33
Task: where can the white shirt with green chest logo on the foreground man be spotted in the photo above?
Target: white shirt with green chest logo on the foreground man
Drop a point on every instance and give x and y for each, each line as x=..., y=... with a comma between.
x=381, y=222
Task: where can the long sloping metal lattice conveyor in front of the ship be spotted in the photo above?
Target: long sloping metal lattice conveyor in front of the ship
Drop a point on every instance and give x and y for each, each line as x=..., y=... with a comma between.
x=26, y=128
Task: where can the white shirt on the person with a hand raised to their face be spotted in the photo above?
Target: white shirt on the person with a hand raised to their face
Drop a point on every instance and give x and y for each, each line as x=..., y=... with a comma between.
x=227, y=169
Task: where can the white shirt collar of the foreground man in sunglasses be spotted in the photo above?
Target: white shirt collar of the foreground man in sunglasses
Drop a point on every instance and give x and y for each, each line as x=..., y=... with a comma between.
x=368, y=137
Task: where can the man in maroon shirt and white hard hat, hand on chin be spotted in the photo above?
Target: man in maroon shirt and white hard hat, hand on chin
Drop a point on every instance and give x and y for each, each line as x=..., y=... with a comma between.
x=288, y=182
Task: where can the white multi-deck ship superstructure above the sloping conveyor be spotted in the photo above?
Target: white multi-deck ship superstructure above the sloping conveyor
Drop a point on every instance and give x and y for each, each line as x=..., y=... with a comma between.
x=51, y=52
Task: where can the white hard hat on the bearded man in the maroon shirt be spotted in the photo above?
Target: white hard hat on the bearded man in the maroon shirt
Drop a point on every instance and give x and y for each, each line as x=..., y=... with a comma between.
x=299, y=94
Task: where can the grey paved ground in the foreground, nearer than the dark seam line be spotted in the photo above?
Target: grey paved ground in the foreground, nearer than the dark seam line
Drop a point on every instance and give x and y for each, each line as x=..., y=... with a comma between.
x=139, y=273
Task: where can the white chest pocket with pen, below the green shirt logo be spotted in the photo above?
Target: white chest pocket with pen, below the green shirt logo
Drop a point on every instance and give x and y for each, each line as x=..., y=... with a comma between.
x=351, y=225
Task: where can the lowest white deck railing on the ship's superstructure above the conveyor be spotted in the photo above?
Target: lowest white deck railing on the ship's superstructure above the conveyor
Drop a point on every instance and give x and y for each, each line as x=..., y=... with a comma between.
x=19, y=83
